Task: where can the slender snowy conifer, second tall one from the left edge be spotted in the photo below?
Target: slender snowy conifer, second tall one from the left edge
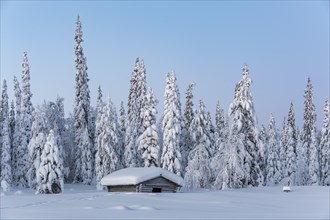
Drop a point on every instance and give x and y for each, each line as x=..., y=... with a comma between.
x=17, y=132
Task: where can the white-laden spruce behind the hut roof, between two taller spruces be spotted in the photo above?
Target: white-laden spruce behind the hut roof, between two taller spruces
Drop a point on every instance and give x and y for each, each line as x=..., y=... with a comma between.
x=148, y=141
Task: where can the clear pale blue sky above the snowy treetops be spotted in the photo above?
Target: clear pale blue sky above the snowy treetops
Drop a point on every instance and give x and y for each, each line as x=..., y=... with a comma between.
x=206, y=42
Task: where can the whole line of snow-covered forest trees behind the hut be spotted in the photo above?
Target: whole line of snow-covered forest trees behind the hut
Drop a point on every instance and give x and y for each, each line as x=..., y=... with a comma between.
x=42, y=149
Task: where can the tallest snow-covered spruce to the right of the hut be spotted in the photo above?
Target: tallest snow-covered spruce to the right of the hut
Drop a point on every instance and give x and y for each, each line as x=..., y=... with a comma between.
x=243, y=121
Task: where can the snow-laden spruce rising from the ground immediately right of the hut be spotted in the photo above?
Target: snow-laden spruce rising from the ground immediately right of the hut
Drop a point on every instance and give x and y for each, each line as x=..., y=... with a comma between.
x=198, y=171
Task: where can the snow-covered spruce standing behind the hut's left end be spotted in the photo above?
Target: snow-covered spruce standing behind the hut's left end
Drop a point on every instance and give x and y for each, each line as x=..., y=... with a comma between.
x=108, y=144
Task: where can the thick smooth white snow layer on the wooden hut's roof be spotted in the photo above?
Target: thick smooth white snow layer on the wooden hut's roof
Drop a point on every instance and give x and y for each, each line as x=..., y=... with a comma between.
x=137, y=175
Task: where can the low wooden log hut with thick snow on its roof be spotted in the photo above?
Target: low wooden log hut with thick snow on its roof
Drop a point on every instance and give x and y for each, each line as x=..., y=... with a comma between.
x=142, y=179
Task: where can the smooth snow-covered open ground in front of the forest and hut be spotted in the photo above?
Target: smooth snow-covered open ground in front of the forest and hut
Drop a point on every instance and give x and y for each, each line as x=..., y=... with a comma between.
x=84, y=202
